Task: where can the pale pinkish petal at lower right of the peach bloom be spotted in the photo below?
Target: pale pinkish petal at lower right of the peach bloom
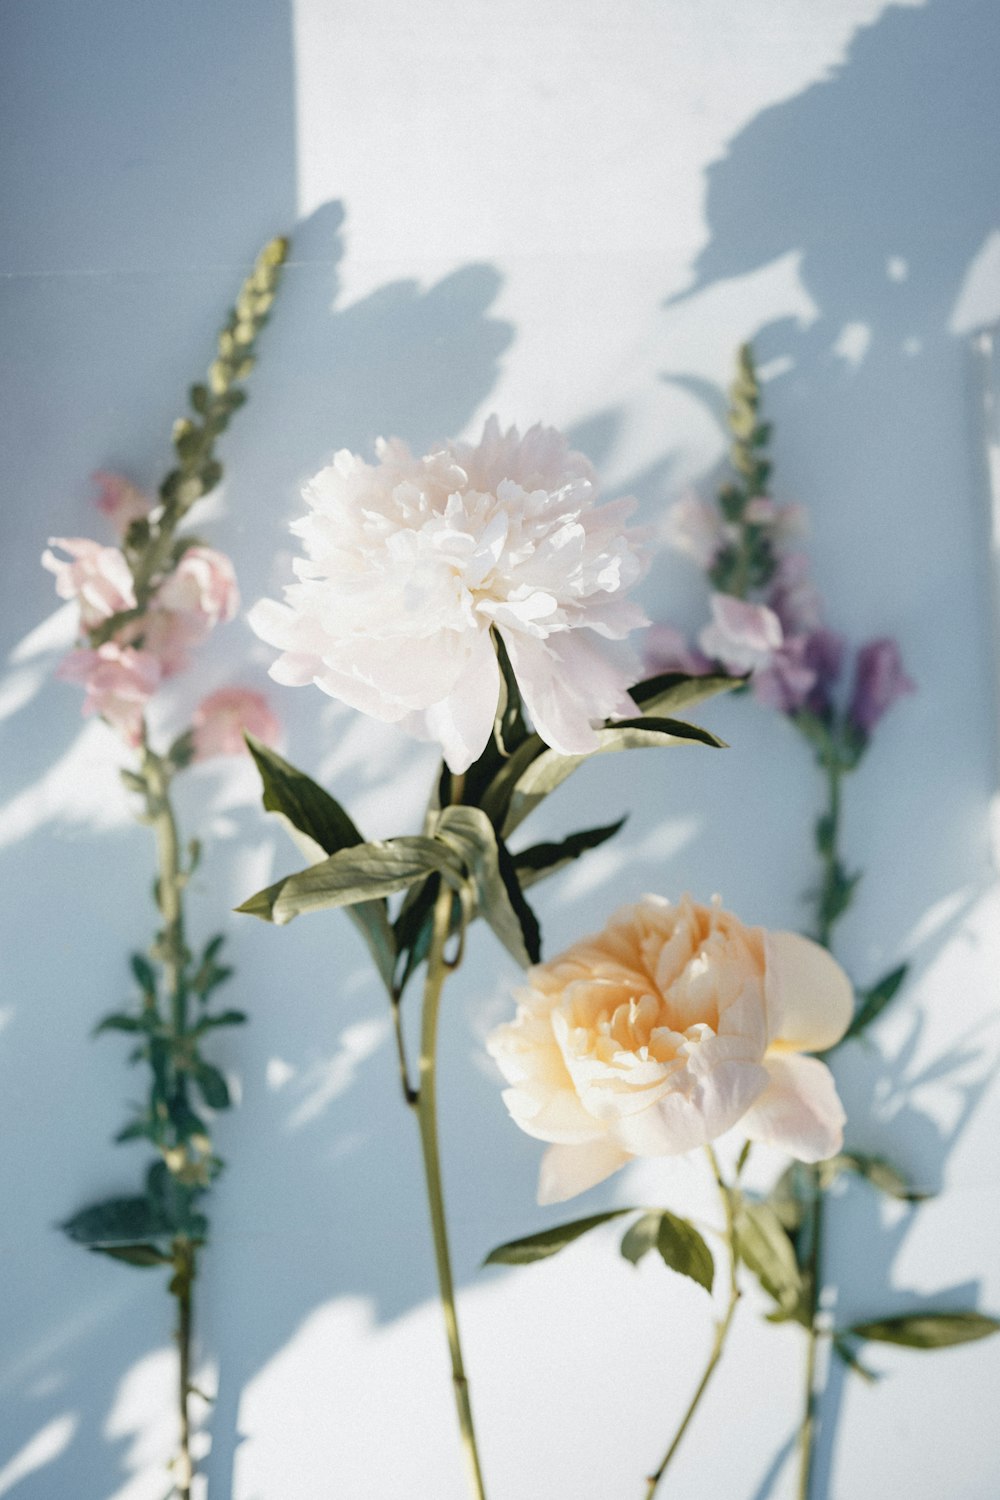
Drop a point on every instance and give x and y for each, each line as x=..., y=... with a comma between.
x=800, y=1111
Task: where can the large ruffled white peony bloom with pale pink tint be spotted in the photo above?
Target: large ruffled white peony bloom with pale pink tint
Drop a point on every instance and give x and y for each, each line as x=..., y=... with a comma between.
x=415, y=562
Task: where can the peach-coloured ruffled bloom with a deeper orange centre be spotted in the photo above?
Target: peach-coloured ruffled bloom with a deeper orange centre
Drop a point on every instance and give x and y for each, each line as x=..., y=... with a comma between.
x=666, y=1031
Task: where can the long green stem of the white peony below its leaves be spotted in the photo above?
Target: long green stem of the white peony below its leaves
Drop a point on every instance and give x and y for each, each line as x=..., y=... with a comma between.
x=427, y=1108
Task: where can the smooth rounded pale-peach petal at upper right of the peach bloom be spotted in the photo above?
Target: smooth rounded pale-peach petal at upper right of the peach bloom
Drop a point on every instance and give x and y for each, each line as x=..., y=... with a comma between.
x=810, y=998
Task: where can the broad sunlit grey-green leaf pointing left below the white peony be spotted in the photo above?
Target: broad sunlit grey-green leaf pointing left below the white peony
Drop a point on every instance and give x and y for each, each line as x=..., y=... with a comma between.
x=356, y=875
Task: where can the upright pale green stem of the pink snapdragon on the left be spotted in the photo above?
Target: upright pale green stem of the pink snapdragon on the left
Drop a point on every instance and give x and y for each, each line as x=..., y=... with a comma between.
x=175, y=958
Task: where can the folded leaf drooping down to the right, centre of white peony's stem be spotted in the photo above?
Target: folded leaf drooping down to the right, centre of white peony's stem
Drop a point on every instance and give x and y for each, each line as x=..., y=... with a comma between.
x=497, y=890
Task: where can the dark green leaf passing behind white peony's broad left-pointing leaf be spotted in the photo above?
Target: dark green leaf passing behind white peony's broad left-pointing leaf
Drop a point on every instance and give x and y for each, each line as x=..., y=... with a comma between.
x=319, y=818
